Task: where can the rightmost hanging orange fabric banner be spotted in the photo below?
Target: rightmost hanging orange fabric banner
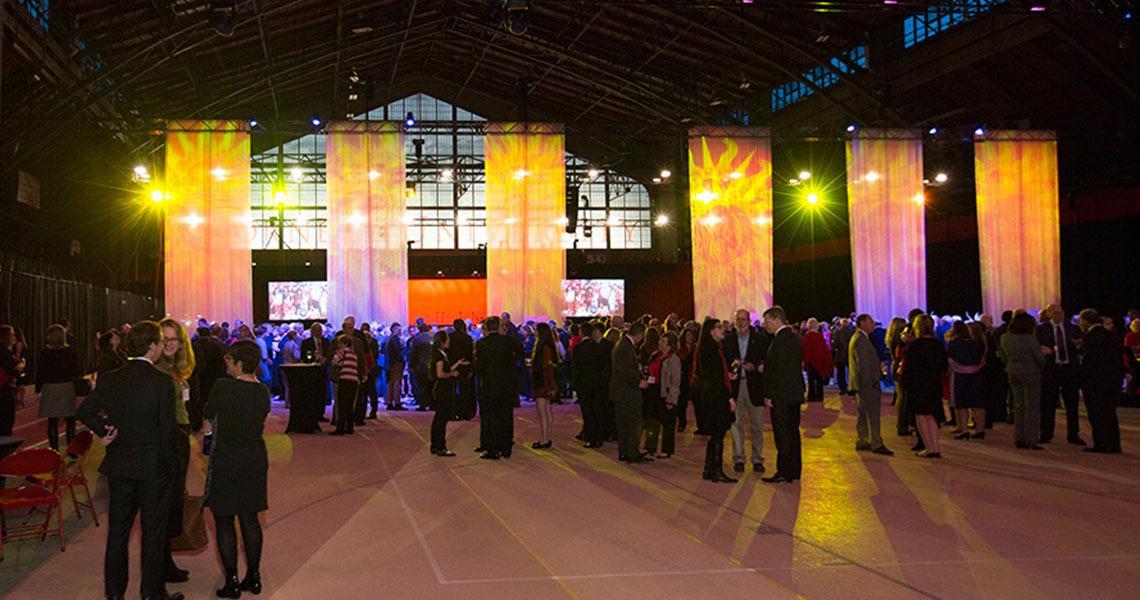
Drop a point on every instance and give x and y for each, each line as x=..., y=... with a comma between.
x=1019, y=220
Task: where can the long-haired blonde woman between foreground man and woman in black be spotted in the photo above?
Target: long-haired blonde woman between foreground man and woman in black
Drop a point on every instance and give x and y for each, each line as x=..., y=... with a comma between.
x=177, y=361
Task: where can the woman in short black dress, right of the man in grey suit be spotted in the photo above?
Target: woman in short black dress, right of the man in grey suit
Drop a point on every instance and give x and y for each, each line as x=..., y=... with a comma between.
x=924, y=364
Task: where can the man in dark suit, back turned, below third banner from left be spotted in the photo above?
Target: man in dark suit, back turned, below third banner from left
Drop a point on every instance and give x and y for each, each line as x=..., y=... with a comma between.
x=496, y=355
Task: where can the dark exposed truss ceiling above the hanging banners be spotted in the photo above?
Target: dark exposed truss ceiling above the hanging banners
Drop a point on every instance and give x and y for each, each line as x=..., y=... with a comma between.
x=626, y=77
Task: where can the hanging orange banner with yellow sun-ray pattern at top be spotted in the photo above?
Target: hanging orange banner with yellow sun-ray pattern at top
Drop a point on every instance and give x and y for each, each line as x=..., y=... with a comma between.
x=730, y=183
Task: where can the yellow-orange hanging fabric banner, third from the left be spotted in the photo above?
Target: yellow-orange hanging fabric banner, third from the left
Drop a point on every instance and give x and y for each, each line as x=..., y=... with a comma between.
x=526, y=205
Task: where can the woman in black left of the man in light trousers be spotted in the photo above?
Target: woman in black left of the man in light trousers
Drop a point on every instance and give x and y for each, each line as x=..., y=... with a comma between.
x=714, y=386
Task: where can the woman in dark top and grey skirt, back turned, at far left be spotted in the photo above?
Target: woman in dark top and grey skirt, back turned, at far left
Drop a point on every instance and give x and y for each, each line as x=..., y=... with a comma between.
x=58, y=371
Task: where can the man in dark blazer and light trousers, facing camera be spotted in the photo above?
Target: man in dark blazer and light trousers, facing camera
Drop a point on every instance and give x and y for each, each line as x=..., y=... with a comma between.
x=745, y=348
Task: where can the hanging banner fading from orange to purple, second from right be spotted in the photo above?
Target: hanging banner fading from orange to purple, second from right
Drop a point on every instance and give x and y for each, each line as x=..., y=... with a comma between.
x=886, y=209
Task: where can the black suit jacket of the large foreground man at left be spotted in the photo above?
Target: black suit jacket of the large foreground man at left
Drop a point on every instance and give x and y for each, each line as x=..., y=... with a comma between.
x=137, y=400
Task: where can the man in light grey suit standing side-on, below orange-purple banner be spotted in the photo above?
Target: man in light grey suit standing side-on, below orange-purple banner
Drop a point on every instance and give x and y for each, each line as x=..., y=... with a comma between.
x=866, y=372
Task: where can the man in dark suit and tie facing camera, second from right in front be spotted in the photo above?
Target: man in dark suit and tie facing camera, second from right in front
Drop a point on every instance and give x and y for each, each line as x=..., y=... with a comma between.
x=1060, y=377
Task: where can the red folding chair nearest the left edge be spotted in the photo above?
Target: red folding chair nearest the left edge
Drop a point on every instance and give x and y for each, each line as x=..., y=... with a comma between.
x=27, y=466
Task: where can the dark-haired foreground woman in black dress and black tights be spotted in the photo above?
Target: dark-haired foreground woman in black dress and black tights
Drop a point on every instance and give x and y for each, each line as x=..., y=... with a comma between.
x=239, y=465
